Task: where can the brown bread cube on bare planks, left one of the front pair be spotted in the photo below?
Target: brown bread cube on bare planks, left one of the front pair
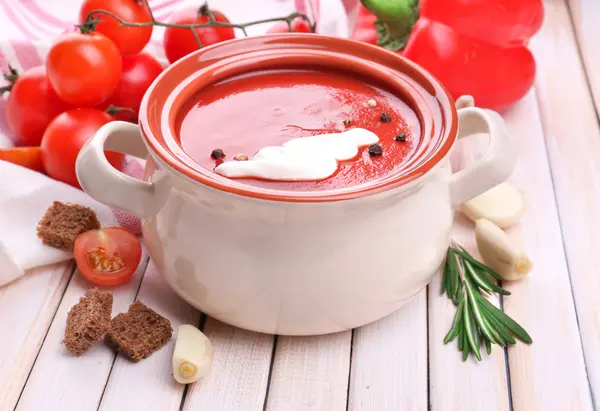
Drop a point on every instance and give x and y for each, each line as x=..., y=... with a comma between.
x=88, y=321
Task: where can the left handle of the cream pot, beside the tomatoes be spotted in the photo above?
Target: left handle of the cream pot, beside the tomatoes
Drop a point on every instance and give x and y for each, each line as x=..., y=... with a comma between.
x=106, y=184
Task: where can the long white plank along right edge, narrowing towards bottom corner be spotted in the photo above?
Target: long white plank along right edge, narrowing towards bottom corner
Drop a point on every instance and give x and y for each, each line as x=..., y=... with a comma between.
x=572, y=139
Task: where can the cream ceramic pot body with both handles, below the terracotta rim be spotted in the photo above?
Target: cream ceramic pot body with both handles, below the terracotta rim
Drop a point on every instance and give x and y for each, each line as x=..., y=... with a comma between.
x=294, y=267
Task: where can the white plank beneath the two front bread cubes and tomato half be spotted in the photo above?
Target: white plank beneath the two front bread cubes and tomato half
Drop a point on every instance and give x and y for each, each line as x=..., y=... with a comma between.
x=60, y=381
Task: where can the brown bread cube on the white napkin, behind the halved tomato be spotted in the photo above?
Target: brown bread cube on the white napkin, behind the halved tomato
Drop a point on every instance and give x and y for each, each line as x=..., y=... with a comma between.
x=62, y=223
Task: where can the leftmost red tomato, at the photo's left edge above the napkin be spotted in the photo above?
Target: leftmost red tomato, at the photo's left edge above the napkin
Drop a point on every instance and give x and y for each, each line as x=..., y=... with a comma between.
x=31, y=106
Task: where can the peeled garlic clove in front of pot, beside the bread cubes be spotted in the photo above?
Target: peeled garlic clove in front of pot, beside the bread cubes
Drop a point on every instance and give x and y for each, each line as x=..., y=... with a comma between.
x=193, y=354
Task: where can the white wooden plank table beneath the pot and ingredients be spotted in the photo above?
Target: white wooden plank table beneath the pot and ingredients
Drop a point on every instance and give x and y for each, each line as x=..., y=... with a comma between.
x=399, y=362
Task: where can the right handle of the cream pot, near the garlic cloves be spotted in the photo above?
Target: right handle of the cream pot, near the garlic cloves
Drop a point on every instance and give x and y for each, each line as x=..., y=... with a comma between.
x=499, y=160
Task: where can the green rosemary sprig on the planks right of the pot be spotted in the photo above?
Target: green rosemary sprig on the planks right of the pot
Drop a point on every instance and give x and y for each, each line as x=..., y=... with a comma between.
x=477, y=322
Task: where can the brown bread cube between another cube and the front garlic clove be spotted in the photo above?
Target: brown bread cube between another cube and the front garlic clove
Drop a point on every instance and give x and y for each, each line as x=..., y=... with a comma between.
x=139, y=332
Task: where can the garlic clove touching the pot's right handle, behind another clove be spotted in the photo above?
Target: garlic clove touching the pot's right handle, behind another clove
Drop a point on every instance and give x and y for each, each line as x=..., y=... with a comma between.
x=503, y=205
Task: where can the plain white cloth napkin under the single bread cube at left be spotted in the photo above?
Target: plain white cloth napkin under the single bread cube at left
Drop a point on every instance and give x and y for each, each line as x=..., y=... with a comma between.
x=25, y=196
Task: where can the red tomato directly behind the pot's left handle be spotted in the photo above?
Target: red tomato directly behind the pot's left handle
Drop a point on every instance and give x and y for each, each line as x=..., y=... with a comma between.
x=65, y=136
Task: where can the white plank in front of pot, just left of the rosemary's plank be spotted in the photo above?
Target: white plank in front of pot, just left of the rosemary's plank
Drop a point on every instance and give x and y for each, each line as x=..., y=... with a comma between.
x=389, y=361
